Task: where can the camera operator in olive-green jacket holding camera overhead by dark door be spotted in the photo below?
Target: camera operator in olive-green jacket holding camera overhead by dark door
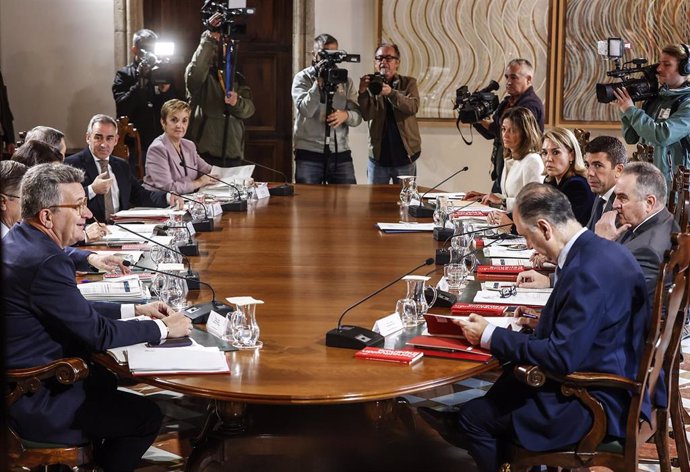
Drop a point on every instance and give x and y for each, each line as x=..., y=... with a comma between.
x=205, y=81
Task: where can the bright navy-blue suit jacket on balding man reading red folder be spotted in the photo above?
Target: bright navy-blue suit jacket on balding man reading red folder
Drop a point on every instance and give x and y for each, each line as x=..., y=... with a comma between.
x=595, y=320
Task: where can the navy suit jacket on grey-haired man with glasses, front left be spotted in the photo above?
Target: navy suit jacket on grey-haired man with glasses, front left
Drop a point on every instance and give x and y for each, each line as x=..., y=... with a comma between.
x=47, y=318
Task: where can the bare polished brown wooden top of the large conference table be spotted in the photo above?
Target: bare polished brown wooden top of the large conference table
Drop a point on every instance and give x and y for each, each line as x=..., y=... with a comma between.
x=309, y=257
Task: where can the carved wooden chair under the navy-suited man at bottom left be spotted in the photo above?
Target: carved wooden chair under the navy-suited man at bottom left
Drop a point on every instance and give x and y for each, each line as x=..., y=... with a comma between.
x=29, y=454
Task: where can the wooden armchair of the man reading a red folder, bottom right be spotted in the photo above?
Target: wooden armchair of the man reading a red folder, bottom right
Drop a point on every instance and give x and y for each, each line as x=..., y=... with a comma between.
x=659, y=358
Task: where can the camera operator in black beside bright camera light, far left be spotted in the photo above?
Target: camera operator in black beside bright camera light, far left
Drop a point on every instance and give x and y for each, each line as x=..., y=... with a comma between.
x=137, y=97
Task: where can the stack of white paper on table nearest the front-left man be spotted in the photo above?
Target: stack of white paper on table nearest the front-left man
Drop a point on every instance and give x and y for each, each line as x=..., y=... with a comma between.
x=144, y=360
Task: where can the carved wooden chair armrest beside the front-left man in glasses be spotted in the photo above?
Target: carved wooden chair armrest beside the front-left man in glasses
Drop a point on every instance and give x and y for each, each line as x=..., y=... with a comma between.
x=67, y=371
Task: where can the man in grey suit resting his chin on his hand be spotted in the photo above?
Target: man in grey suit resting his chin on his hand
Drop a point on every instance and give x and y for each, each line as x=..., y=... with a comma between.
x=645, y=224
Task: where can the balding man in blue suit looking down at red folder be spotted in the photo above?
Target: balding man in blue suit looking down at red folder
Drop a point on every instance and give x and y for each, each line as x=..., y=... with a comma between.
x=595, y=320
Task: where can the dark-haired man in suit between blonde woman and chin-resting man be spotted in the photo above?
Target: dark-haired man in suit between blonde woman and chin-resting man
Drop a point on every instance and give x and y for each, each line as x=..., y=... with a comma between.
x=605, y=157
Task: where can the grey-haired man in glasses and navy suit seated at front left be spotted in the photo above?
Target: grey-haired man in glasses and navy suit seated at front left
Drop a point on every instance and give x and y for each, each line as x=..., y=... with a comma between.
x=47, y=318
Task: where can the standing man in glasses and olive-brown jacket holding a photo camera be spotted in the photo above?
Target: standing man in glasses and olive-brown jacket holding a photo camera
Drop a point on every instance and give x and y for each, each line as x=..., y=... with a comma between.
x=391, y=108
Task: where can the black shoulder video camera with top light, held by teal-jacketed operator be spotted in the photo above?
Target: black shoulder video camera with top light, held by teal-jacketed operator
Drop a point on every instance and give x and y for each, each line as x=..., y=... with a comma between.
x=640, y=88
